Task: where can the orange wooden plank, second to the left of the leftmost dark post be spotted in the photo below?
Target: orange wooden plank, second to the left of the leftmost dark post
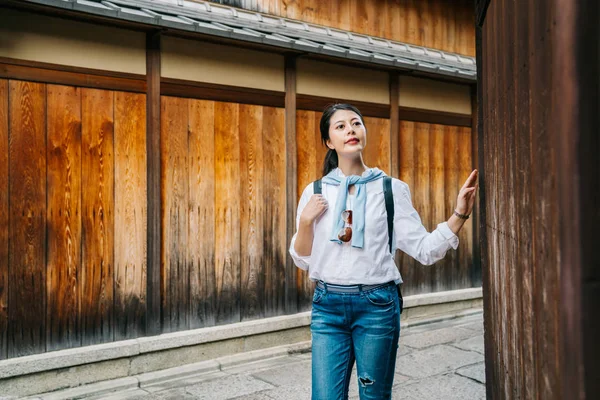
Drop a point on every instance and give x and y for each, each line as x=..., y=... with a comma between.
x=97, y=202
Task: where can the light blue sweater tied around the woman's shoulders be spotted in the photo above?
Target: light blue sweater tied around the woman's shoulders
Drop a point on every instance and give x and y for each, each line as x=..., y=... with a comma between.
x=358, y=213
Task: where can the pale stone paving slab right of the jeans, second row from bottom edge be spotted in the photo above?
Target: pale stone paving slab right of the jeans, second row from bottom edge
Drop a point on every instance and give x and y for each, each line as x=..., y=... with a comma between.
x=435, y=360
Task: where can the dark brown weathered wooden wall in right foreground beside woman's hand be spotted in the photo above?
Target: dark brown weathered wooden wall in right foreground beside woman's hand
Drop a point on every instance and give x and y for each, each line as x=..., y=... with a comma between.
x=538, y=64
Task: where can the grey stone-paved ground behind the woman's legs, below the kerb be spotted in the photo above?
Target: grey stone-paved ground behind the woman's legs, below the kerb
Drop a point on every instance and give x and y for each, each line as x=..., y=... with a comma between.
x=443, y=360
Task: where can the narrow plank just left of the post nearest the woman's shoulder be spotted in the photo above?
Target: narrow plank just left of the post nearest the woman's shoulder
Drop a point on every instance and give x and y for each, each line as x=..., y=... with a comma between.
x=275, y=246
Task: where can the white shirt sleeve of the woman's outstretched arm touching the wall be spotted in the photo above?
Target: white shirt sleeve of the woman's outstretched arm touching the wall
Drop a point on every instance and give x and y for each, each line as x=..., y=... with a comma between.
x=410, y=235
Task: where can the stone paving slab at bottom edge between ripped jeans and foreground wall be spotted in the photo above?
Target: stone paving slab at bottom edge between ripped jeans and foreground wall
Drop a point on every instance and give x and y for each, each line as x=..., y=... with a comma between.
x=446, y=387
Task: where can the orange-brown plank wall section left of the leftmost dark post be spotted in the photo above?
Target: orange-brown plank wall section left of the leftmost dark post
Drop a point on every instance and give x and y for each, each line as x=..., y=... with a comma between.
x=74, y=184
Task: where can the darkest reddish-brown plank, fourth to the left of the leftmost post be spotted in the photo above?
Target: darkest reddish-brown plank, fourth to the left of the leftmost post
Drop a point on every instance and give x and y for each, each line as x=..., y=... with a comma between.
x=27, y=219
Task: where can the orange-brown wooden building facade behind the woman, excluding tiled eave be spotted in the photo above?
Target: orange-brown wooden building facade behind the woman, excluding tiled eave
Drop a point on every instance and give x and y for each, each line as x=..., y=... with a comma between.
x=149, y=177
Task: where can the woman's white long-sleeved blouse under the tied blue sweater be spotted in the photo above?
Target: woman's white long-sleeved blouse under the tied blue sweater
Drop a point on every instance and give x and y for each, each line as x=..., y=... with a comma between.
x=343, y=264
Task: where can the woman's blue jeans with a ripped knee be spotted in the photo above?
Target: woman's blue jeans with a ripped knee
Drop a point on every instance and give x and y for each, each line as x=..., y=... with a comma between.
x=345, y=327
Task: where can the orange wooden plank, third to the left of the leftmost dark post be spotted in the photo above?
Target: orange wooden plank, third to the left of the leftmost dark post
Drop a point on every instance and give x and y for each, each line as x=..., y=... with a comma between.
x=63, y=216
